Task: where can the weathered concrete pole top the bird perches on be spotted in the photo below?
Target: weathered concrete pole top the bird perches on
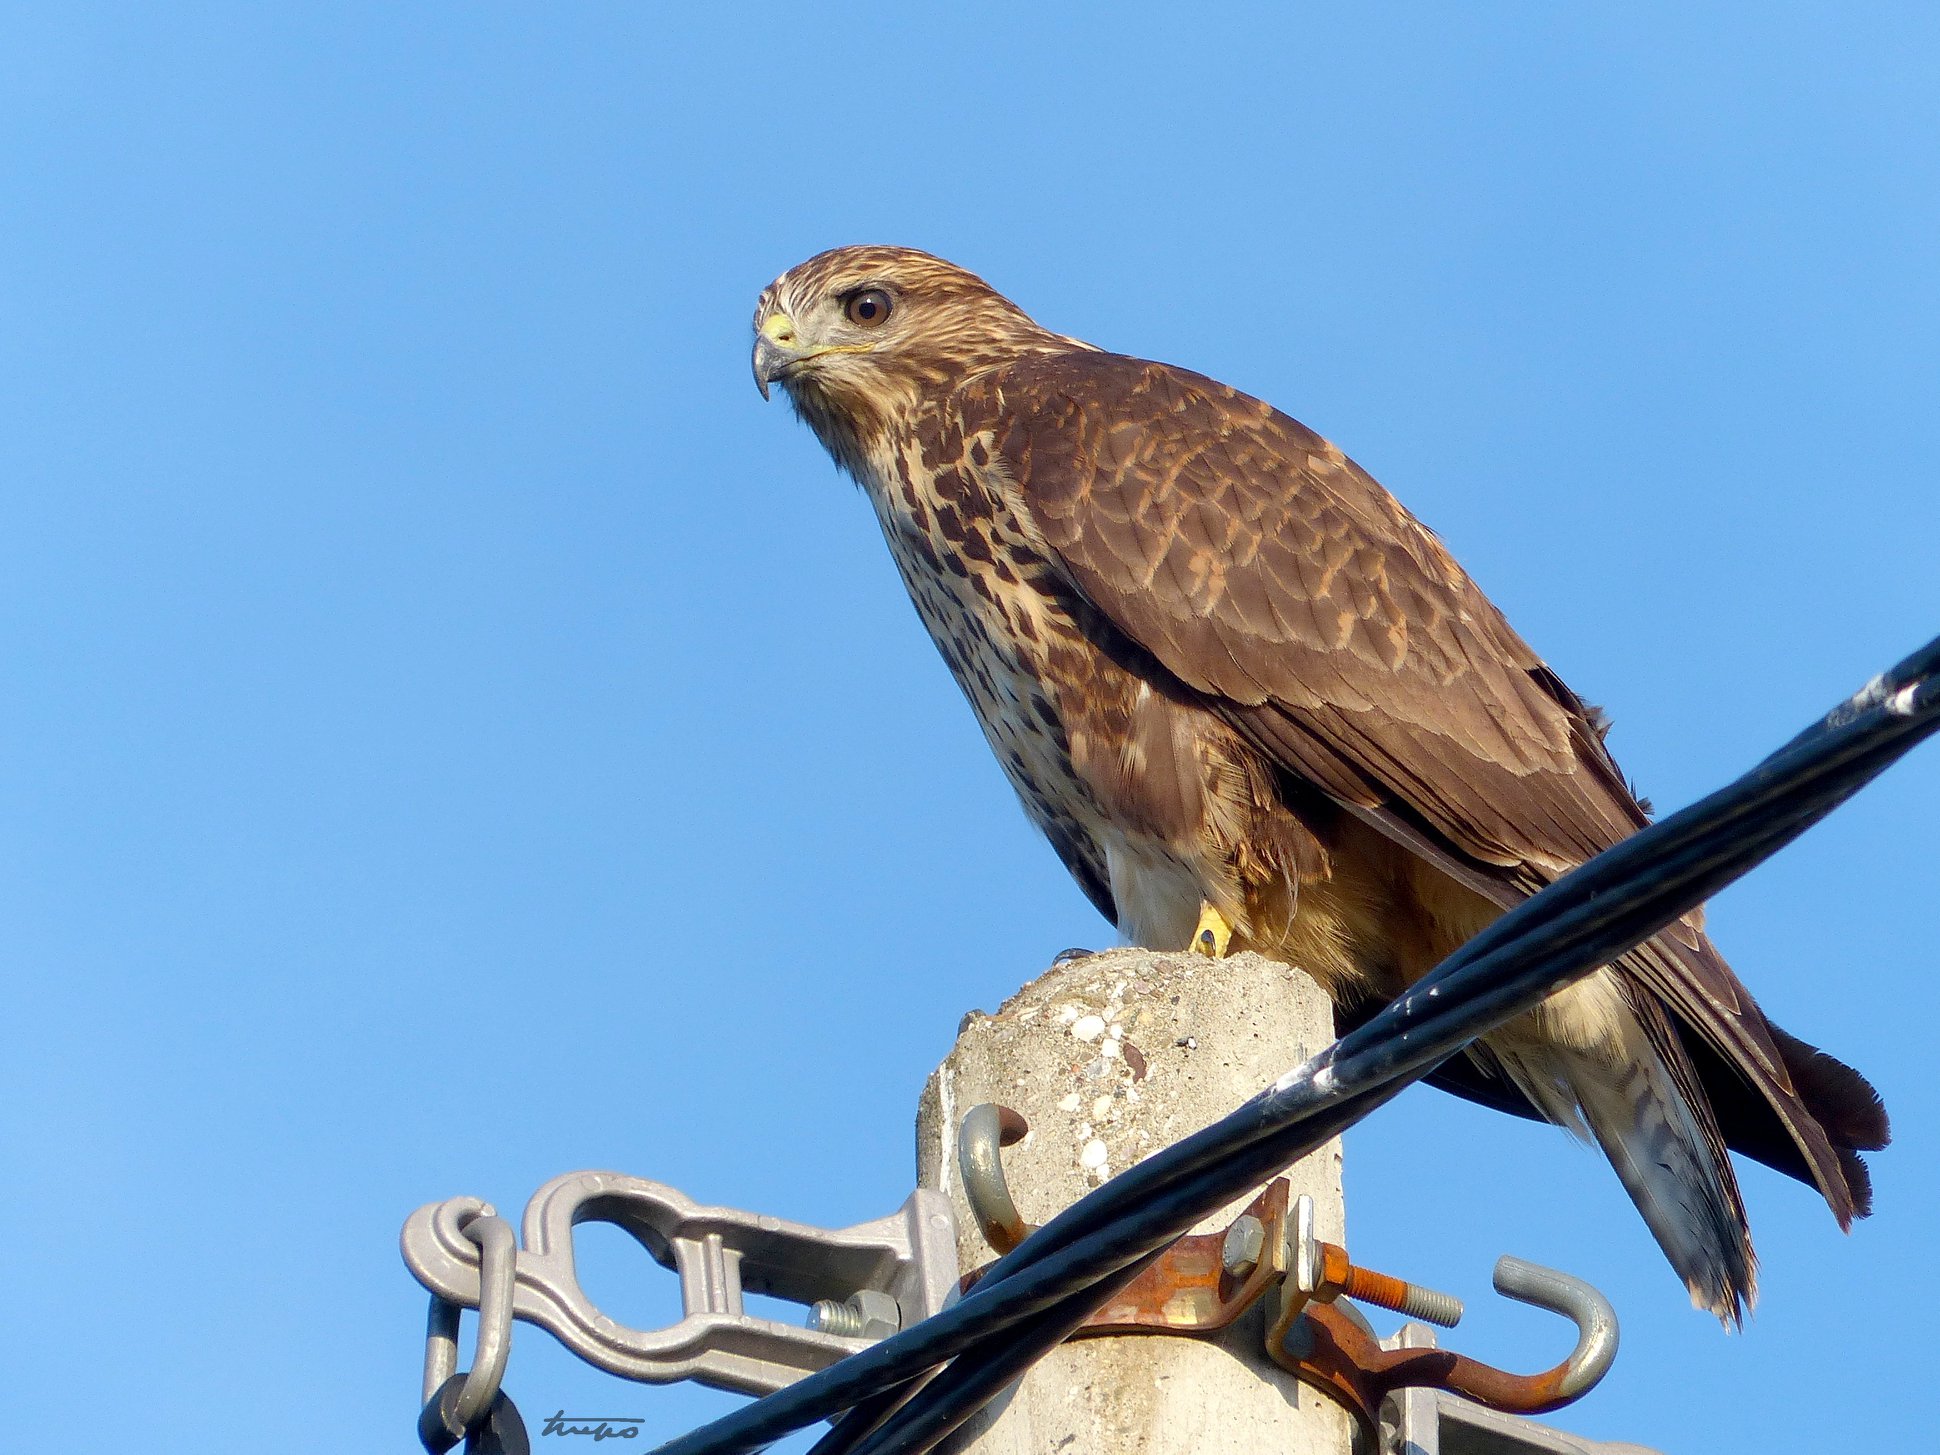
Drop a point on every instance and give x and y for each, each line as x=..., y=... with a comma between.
x=1113, y=1058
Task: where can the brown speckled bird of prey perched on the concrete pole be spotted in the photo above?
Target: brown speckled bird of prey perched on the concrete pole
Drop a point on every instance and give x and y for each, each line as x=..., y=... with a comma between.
x=1256, y=705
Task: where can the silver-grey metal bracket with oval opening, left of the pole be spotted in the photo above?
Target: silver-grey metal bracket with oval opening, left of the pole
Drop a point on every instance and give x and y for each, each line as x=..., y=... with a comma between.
x=721, y=1254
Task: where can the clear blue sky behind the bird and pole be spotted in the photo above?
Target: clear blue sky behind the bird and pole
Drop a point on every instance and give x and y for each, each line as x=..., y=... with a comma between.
x=455, y=734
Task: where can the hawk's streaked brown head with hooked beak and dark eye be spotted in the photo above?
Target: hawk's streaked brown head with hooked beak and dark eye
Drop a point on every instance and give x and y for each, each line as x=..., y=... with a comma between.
x=862, y=337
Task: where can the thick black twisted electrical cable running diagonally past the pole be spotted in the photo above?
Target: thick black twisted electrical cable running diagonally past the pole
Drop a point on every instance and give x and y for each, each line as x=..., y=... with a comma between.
x=1568, y=930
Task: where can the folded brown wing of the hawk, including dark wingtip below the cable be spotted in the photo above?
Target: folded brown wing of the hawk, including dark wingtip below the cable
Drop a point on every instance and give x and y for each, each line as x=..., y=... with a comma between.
x=1268, y=573
